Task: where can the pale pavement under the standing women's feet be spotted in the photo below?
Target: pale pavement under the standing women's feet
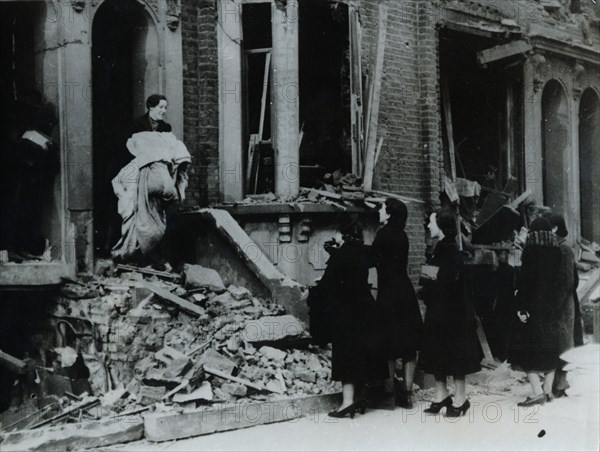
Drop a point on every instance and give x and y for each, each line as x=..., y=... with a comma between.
x=493, y=423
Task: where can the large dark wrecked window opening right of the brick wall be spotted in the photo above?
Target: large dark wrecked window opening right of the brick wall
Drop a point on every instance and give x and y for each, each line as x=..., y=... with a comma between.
x=485, y=105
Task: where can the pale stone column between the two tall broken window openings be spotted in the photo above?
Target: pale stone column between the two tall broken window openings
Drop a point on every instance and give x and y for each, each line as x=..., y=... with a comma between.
x=285, y=98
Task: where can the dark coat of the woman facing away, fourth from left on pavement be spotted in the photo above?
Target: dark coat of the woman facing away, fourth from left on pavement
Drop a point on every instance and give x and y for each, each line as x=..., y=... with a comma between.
x=543, y=291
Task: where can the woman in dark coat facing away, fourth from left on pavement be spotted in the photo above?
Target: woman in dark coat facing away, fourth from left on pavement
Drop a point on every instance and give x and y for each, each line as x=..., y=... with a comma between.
x=535, y=346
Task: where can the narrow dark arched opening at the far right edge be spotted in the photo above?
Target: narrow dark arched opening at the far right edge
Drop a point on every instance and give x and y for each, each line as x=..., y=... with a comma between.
x=589, y=165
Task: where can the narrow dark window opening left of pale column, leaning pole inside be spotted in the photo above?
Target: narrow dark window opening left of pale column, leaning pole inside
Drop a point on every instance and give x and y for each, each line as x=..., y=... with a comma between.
x=257, y=68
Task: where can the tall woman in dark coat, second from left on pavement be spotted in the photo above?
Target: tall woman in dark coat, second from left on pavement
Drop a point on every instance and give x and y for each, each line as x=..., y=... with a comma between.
x=401, y=320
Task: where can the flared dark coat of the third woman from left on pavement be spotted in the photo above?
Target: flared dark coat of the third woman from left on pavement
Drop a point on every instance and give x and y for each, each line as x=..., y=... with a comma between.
x=450, y=345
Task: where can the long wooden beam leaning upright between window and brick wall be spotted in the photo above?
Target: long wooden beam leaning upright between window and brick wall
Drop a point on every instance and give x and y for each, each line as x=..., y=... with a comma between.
x=375, y=99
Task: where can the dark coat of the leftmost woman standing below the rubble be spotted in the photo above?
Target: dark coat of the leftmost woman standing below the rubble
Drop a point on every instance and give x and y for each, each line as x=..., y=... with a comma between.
x=355, y=337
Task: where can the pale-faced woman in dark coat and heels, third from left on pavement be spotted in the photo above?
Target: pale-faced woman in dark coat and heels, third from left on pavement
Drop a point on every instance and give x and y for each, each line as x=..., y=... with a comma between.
x=450, y=344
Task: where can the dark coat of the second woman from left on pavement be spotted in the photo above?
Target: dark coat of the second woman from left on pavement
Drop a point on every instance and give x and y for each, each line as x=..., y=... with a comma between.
x=401, y=321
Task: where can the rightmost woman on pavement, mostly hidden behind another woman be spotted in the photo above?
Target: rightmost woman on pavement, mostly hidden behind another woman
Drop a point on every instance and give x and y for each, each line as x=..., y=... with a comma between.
x=570, y=328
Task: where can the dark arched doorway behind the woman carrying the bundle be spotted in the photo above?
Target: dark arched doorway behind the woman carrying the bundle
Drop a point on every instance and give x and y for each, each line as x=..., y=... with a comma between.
x=119, y=29
